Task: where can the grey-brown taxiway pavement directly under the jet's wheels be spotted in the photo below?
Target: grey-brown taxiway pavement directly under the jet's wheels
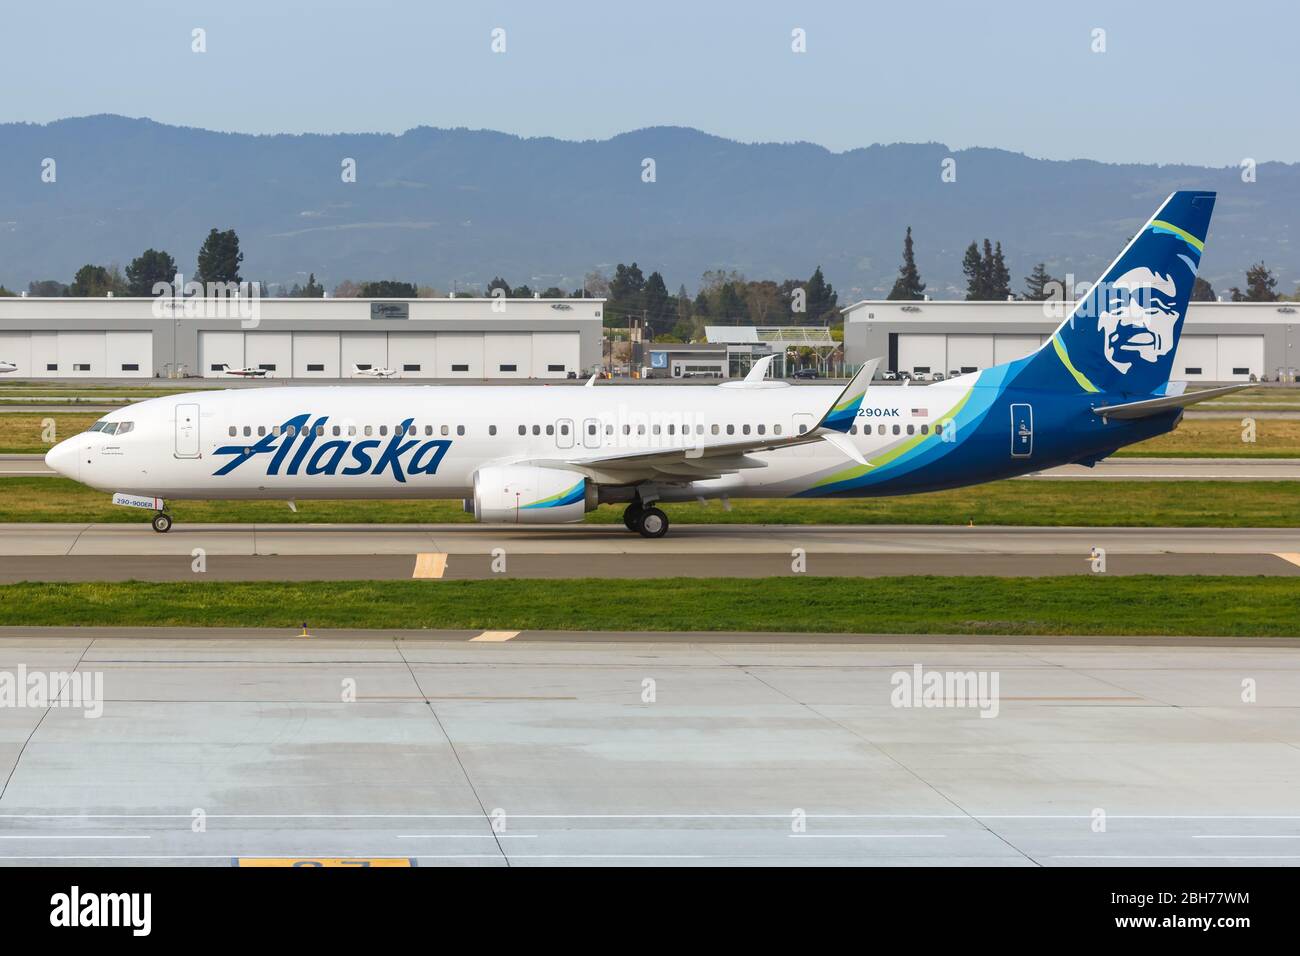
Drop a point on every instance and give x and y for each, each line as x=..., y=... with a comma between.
x=337, y=552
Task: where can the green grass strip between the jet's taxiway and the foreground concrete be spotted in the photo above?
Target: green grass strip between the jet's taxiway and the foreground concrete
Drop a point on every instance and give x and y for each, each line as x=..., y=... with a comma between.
x=1074, y=605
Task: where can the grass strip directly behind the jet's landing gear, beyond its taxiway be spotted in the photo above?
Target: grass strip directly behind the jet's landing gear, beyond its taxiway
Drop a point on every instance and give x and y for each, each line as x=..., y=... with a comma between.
x=1038, y=503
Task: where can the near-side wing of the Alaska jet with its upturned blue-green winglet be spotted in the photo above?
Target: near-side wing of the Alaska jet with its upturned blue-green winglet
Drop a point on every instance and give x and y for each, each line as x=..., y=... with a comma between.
x=708, y=461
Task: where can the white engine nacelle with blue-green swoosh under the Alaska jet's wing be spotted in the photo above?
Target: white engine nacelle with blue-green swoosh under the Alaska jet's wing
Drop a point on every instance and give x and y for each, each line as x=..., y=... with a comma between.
x=526, y=495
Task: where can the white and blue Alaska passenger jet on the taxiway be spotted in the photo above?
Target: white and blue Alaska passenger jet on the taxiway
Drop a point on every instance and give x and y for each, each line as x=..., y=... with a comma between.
x=540, y=456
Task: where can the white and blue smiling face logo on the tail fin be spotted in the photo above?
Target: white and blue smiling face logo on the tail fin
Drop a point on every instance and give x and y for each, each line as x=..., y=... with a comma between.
x=1138, y=318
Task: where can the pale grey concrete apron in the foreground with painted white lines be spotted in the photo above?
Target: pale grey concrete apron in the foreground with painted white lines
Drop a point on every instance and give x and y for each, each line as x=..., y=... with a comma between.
x=237, y=751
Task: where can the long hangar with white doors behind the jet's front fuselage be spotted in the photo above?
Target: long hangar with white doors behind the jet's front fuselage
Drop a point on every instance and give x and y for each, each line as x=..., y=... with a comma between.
x=300, y=339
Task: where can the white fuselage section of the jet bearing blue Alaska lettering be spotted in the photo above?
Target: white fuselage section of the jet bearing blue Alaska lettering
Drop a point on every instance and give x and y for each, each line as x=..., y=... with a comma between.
x=179, y=447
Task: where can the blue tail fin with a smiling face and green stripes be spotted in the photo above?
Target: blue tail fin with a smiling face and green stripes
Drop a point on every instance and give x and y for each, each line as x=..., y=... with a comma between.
x=1123, y=335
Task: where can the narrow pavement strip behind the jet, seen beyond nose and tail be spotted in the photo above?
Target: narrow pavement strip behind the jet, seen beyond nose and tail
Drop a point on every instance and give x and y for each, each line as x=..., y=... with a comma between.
x=1110, y=470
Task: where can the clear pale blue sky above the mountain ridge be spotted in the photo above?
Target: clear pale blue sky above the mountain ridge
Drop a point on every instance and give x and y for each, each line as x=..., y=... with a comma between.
x=1198, y=83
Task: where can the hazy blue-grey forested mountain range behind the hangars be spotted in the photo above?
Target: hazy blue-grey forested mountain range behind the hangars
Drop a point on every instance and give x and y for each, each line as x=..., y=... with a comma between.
x=458, y=206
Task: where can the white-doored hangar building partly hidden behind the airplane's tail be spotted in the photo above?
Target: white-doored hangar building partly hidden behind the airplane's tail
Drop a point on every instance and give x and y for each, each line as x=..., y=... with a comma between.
x=1221, y=341
